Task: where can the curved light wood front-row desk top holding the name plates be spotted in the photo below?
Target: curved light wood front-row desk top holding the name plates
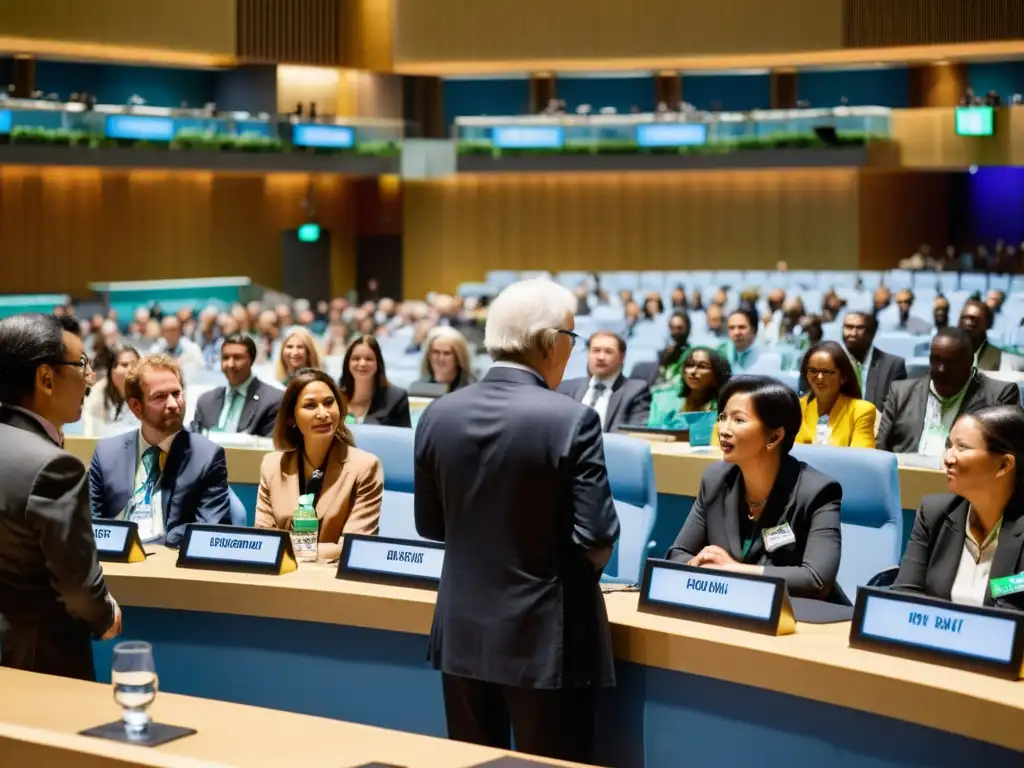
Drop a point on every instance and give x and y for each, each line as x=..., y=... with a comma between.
x=817, y=663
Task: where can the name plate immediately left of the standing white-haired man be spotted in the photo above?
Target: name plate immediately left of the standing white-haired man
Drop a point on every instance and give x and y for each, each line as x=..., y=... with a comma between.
x=377, y=559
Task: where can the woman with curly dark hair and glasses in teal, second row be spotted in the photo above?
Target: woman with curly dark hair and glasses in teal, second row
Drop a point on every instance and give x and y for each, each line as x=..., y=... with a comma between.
x=705, y=373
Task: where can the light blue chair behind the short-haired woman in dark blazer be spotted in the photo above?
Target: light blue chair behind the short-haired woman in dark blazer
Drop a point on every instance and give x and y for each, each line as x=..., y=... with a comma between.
x=872, y=517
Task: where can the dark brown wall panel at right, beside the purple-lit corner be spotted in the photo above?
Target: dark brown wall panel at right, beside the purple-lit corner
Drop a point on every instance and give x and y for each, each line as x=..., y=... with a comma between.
x=900, y=211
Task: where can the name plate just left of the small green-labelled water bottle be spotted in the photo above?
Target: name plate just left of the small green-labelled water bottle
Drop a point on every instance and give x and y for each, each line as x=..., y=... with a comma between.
x=237, y=548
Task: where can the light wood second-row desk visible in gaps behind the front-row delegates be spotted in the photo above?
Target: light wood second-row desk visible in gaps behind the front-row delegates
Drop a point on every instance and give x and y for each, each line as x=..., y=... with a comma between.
x=677, y=470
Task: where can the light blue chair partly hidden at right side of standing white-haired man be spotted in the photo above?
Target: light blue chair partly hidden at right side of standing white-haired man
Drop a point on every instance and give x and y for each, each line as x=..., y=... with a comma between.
x=631, y=474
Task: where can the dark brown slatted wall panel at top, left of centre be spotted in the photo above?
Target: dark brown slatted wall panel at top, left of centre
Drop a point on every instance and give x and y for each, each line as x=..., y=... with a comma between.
x=290, y=32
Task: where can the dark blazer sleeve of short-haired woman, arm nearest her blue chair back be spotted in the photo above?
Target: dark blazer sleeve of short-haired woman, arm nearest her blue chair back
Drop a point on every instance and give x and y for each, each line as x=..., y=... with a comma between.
x=817, y=575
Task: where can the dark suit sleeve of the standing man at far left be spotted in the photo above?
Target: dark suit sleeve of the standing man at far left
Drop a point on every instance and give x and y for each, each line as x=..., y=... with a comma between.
x=59, y=514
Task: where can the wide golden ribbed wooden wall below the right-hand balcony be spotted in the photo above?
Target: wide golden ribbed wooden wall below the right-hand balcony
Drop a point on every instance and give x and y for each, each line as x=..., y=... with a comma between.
x=459, y=229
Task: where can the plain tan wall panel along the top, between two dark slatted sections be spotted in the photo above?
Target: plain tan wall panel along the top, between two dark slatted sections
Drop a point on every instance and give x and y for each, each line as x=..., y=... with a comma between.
x=470, y=30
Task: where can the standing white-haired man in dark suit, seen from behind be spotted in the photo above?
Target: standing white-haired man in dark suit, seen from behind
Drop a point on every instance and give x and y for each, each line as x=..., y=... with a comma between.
x=510, y=476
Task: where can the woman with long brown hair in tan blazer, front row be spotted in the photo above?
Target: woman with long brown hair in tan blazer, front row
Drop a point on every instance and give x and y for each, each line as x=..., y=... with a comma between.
x=311, y=436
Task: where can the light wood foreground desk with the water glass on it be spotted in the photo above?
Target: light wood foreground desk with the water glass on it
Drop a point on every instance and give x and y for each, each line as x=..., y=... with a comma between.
x=228, y=734
